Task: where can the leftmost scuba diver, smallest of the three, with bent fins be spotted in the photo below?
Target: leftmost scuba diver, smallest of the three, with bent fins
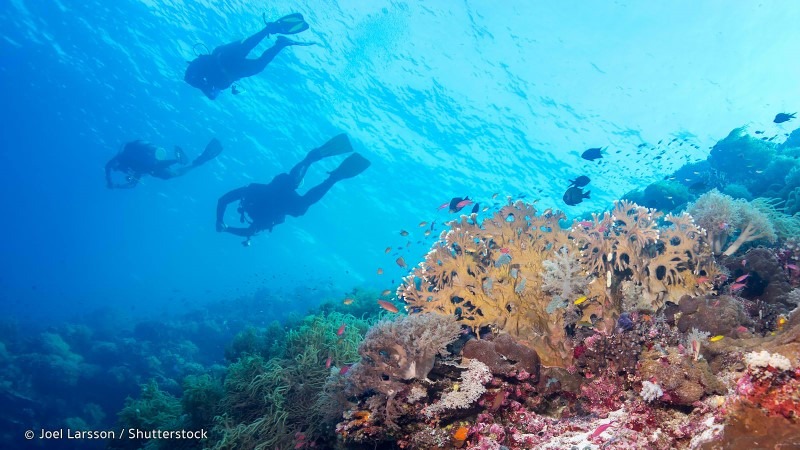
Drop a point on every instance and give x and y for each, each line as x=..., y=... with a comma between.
x=139, y=158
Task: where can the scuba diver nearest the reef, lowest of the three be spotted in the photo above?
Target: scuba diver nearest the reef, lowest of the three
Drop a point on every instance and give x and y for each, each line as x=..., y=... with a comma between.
x=265, y=205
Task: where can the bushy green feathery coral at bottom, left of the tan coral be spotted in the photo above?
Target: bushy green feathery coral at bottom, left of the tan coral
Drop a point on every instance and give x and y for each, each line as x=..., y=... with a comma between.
x=268, y=402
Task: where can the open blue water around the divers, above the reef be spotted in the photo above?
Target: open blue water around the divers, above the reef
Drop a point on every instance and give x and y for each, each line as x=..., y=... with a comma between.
x=445, y=98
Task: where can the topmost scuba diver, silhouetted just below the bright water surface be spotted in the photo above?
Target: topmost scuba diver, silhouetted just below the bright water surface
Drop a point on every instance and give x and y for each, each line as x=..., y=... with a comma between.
x=229, y=63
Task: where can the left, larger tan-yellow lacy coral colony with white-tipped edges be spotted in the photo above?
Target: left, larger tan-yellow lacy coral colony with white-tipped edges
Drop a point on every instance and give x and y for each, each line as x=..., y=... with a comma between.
x=490, y=276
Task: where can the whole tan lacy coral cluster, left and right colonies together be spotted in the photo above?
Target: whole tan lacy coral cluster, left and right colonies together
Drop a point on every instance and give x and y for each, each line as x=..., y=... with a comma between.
x=521, y=273
